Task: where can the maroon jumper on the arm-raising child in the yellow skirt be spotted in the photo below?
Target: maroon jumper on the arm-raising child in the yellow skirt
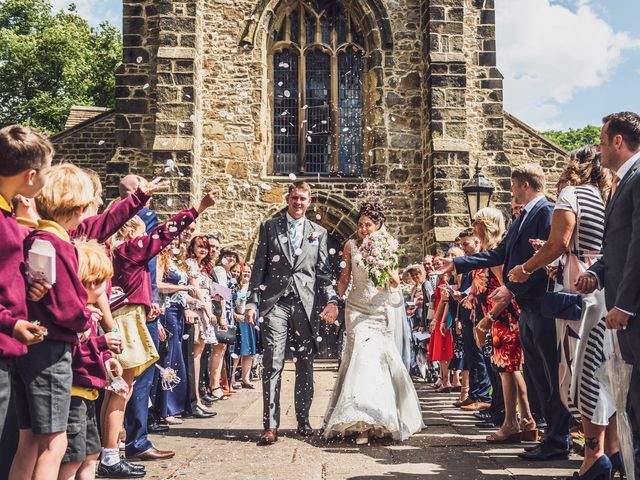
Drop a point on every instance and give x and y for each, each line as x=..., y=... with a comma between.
x=130, y=259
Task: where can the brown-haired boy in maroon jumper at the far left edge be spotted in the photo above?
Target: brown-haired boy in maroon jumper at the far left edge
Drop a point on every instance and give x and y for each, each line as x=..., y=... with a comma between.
x=24, y=154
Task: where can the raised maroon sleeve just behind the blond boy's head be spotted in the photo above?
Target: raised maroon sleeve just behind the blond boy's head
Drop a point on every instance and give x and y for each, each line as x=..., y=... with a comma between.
x=101, y=227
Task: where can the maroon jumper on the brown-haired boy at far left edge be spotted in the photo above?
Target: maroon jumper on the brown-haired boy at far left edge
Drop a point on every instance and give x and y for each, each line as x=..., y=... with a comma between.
x=13, y=288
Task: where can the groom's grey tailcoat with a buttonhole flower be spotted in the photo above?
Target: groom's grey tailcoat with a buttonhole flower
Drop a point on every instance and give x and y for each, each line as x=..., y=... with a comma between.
x=277, y=268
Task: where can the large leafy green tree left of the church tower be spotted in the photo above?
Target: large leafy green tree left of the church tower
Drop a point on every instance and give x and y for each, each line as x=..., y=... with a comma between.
x=52, y=61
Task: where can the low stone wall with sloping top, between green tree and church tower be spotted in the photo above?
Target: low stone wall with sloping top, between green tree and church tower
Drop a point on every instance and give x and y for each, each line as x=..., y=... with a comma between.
x=90, y=144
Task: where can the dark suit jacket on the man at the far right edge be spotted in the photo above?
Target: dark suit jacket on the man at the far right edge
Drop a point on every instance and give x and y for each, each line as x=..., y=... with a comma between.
x=618, y=269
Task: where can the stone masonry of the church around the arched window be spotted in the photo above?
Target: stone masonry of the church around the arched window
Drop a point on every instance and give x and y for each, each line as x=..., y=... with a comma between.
x=194, y=102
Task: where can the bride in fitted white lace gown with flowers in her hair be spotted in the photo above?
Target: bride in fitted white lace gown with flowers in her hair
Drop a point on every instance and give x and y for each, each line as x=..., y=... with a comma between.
x=373, y=395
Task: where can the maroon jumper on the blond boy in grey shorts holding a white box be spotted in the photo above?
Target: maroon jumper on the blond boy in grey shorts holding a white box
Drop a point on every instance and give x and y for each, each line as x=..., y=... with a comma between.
x=63, y=309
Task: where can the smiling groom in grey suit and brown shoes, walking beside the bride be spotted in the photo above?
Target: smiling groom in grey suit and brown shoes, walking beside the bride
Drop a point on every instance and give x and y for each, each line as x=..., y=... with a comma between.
x=290, y=266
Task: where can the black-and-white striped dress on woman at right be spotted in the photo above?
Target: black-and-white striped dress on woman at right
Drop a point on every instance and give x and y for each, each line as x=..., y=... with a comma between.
x=586, y=343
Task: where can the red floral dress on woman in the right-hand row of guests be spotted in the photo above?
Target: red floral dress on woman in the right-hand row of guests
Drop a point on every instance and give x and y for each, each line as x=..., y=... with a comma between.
x=505, y=332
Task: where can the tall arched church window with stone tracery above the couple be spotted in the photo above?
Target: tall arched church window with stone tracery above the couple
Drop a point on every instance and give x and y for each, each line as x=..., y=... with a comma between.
x=317, y=61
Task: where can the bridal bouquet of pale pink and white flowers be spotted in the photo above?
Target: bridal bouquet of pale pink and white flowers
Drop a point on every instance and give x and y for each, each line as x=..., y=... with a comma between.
x=380, y=252
